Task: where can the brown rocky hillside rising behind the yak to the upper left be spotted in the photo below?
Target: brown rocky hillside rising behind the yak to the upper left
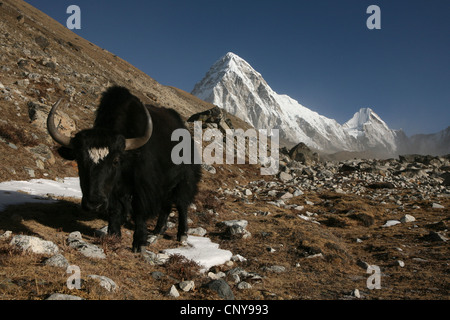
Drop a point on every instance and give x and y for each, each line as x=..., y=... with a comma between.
x=40, y=61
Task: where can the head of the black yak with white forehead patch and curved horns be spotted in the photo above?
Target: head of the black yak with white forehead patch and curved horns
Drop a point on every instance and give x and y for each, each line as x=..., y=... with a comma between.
x=99, y=153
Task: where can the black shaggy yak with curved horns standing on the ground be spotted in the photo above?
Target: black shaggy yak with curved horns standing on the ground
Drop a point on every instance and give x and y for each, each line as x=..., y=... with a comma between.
x=125, y=164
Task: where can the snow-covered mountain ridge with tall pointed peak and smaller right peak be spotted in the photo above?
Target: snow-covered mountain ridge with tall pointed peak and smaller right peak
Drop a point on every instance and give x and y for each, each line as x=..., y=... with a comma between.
x=232, y=84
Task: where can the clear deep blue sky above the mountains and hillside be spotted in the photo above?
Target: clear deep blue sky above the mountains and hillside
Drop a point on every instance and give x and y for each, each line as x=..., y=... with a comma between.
x=318, y=52
